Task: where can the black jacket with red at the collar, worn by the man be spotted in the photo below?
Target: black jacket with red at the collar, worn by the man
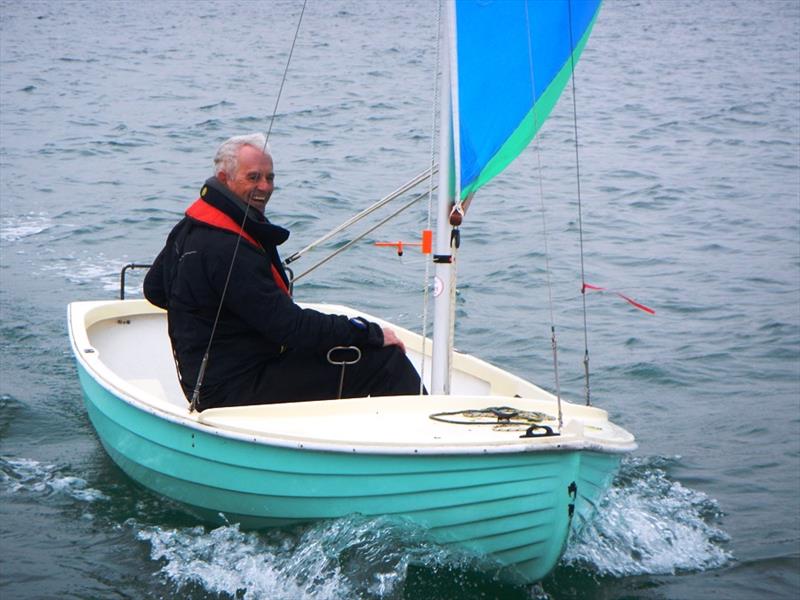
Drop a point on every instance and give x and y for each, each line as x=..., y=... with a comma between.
x=258, y=319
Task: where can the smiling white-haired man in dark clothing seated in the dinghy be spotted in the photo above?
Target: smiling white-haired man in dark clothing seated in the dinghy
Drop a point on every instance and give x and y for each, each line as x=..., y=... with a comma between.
x=265, y=348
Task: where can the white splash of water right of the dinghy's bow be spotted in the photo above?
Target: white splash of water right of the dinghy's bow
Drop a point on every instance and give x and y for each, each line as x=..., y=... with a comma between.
x=649, y=525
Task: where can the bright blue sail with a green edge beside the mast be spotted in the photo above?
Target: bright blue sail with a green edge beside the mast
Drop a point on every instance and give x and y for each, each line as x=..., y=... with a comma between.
x=512, y=60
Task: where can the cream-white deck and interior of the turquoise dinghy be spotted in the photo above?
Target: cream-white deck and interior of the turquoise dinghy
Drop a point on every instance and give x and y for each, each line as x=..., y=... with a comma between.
x=124, y=345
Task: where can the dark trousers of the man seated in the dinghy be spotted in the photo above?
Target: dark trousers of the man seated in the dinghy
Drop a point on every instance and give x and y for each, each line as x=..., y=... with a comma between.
x=301, y=376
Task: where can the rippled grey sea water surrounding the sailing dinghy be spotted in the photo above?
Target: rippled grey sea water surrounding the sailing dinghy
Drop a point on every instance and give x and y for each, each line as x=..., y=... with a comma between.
x=688, y=119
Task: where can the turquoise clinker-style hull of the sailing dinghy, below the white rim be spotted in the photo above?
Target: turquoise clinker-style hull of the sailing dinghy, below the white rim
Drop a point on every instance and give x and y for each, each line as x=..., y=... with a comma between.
x=517, y=508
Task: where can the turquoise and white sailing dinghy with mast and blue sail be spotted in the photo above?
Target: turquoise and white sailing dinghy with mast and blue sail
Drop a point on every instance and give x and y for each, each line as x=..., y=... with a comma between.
x=488, y=462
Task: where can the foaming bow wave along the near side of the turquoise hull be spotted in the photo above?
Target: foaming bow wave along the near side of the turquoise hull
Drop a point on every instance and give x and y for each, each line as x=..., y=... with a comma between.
x=353, y=557
